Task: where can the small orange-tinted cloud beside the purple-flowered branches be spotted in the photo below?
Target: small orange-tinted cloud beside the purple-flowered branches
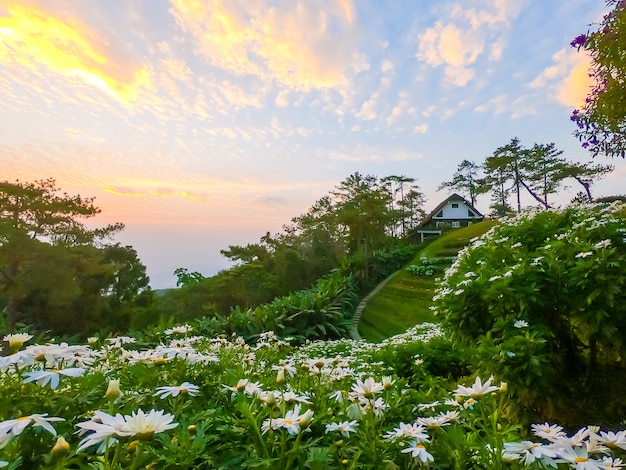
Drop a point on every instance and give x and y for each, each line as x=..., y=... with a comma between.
x=567, y=80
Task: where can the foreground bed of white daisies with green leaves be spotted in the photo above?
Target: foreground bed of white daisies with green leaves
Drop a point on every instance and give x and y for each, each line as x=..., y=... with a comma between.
x=224, y=403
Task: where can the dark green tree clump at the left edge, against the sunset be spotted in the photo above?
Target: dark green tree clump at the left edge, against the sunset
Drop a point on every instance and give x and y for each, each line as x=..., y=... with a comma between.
x=57, y=274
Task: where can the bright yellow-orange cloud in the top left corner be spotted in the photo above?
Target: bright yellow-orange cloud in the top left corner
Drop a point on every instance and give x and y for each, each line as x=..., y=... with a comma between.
x=32, y=38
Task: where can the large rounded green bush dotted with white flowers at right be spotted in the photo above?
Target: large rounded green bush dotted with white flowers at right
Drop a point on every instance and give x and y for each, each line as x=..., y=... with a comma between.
x=542, y=297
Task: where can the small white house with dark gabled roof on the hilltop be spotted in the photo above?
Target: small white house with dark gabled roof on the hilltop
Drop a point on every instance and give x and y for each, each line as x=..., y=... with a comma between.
x=453, y=212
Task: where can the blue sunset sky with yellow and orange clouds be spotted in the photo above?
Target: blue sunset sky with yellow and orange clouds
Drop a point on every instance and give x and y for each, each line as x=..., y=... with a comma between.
x=201, y=124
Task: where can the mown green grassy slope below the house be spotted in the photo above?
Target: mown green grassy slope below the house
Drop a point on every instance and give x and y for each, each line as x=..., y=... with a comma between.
x=405, y=300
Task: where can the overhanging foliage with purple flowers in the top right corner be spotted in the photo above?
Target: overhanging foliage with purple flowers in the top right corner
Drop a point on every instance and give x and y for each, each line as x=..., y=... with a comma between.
x=601, y=122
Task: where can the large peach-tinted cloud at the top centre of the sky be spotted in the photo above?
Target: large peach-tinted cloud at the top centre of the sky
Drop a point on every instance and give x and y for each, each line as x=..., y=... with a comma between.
x=303, y=46
